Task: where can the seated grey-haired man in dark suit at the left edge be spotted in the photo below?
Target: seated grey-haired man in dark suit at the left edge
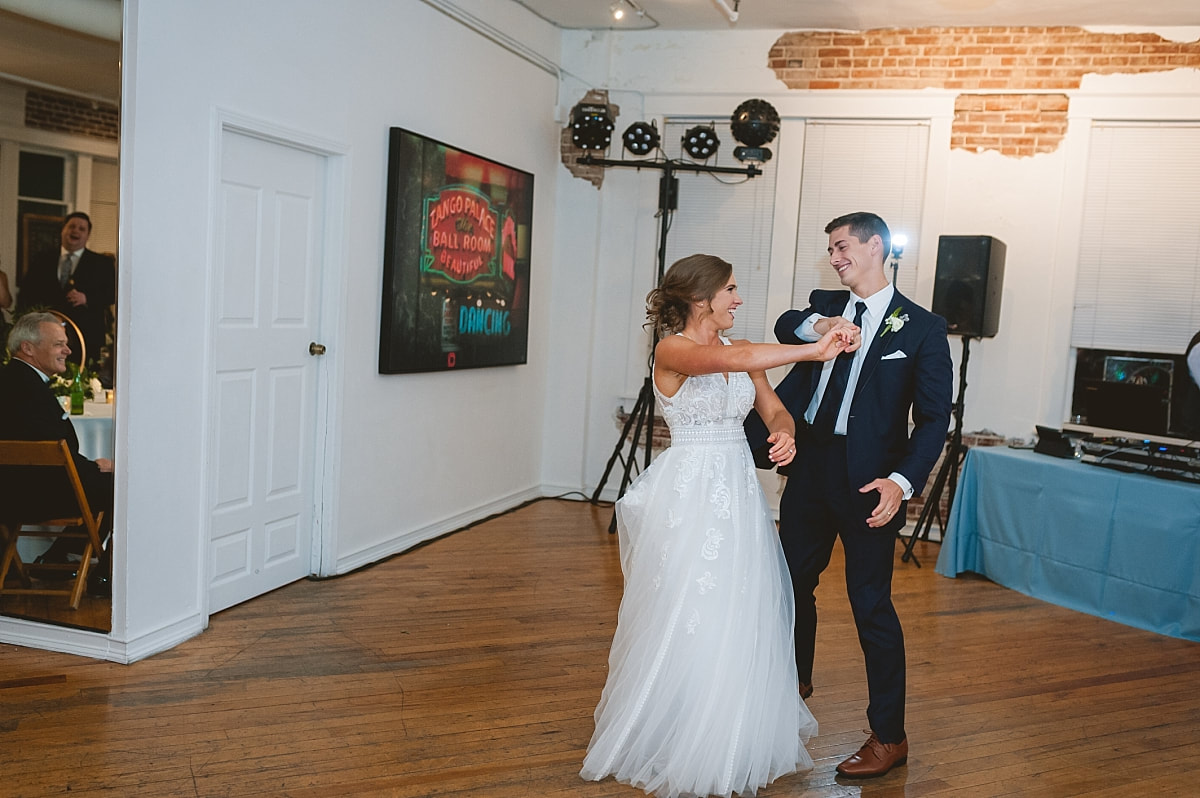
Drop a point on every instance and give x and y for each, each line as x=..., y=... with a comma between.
x=29, y=411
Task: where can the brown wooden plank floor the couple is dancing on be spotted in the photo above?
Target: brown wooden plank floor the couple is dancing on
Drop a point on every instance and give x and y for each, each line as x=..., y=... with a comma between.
x=471, y=667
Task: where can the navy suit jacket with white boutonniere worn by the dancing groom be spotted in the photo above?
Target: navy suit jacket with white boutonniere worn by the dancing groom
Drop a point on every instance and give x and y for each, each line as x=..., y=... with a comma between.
x=879, y=441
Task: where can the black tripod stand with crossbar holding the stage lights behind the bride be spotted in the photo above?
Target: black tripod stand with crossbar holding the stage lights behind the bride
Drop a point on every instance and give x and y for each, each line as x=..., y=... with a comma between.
x=641, y=418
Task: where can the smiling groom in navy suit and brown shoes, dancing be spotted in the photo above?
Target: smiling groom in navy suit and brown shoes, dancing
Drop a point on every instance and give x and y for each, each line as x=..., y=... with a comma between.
x=859, y=463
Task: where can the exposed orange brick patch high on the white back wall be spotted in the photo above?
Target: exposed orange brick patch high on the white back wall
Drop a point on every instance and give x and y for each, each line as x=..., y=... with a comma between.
x=1011, y=61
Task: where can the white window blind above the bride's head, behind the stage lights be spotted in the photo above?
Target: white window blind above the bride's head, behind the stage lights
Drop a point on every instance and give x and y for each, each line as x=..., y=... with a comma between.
x=730, y=217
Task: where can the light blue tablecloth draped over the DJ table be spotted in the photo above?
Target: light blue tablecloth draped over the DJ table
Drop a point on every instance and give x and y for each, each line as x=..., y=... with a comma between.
x=1115, y=545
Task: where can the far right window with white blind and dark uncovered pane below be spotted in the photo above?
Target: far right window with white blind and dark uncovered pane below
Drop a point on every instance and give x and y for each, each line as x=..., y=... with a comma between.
x=1138, y=287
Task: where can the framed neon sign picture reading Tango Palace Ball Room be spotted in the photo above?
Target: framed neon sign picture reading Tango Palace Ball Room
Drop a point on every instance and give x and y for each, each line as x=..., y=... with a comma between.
x=457, y=260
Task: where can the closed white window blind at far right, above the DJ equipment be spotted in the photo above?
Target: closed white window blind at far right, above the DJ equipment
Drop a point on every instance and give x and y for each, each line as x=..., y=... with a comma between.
x=1139, y=260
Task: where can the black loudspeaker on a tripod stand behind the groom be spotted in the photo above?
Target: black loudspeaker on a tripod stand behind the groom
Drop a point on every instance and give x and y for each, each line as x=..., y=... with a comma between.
x=967, y=293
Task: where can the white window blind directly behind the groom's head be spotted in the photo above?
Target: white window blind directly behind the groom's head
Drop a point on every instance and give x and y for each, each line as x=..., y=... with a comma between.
x=878, y=167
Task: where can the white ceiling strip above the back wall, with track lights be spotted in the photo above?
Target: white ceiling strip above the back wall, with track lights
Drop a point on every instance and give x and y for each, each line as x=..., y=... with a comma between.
x=863, y=15
